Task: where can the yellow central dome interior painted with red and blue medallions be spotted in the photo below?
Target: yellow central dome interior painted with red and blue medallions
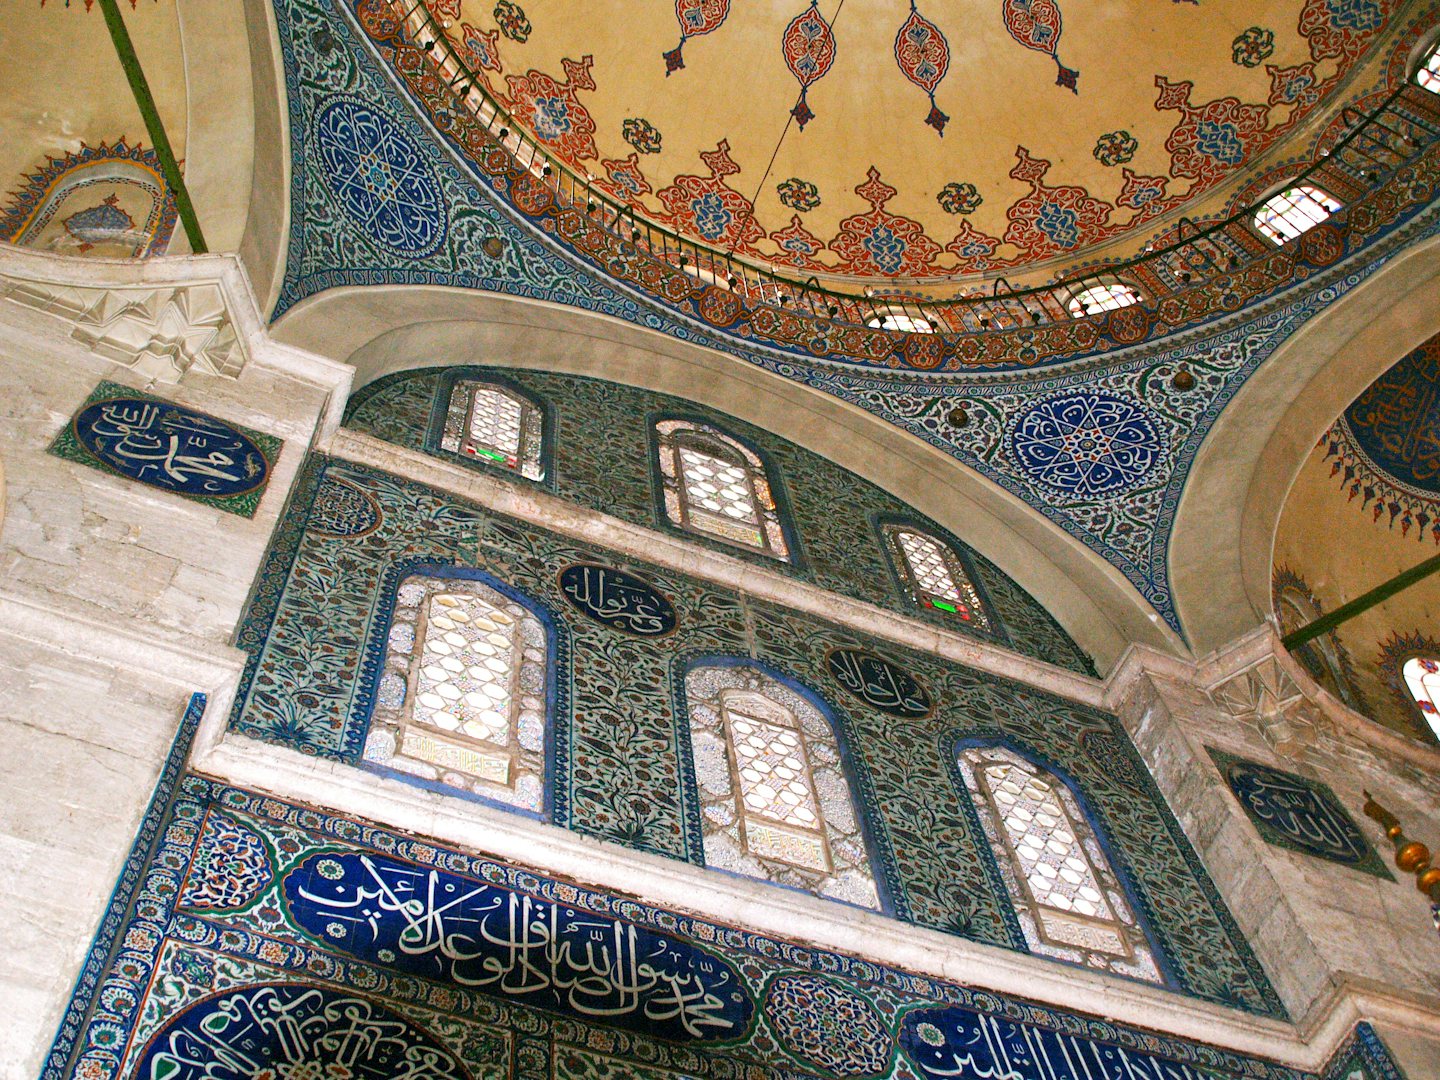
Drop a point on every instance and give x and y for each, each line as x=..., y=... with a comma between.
x=912, y=140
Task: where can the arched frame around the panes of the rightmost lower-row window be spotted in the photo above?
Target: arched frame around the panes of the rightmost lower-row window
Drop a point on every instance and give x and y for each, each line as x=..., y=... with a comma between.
x=954, y=745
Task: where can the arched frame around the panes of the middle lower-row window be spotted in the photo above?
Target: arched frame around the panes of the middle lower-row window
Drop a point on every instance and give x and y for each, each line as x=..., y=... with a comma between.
x=879, y=856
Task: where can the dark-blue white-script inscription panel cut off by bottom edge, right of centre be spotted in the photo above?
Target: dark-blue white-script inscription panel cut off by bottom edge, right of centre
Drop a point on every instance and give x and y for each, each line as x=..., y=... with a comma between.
x=957, y=1042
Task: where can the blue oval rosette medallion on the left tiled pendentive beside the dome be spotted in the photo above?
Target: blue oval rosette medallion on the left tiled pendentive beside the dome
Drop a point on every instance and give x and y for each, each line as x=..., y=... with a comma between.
x=381, y=179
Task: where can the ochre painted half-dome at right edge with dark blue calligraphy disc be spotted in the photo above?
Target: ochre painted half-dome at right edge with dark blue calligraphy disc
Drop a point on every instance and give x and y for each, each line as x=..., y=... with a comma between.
x=1366, y=508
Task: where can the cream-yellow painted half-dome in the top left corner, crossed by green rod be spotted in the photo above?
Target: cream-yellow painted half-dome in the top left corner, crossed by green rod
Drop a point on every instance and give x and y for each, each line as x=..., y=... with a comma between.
x=74, y=176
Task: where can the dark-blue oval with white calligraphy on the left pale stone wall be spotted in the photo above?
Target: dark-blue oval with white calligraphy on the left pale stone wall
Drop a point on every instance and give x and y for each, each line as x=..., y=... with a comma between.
x=172, y=447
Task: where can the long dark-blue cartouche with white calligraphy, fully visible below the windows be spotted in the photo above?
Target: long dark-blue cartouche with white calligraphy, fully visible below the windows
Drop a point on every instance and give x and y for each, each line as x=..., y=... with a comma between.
x=496, y=941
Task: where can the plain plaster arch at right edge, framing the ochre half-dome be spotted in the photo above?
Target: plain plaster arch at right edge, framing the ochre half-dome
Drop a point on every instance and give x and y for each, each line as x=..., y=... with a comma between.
x=1223, y=545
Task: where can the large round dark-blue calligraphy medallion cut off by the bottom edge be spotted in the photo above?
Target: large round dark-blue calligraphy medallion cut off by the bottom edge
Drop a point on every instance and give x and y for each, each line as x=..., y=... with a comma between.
x=293, y=1030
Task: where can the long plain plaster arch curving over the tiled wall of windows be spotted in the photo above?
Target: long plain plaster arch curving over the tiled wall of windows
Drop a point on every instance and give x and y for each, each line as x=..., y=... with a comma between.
x=388, y=329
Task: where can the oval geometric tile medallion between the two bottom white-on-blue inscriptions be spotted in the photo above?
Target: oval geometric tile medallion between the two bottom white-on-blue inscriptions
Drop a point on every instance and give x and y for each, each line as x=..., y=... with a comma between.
x=827, y=1026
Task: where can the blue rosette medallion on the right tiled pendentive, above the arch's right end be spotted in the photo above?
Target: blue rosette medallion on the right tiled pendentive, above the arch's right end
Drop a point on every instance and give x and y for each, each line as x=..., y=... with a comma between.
x=1088, y=444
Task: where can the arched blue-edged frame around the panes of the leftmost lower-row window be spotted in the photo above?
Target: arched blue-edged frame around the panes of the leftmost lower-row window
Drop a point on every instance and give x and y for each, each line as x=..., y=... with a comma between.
x=557, y=696
